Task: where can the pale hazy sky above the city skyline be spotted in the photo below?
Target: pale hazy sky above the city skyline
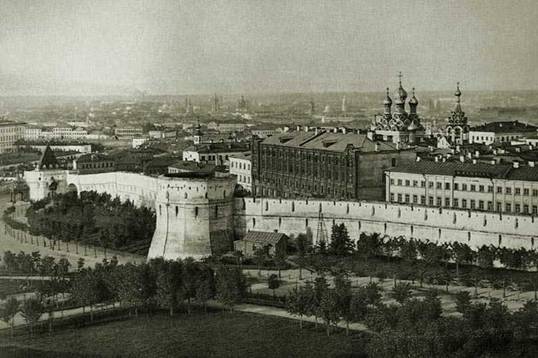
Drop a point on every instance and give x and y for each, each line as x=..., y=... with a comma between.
x=179, y=47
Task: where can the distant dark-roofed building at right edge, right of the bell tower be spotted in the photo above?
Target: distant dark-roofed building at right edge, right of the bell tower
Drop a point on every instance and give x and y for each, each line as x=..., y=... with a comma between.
x=500, y=132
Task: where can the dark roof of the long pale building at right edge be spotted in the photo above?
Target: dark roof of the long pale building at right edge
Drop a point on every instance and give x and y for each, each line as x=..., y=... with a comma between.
x=483, y=170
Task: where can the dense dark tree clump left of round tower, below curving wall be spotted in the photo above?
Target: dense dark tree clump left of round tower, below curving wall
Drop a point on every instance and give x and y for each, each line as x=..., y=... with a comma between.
x=92, y=218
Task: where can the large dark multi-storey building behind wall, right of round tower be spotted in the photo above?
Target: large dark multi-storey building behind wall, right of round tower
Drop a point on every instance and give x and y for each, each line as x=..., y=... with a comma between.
x=335, y=165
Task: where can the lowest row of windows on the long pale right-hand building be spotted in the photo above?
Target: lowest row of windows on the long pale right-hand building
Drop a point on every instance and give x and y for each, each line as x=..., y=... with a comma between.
x=464, y=204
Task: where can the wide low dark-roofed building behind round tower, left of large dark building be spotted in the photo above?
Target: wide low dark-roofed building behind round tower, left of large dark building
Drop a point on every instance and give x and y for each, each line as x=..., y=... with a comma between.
x=214, y=153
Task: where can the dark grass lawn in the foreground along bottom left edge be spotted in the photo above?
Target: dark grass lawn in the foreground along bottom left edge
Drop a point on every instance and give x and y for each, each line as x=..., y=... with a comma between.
x=215, y=334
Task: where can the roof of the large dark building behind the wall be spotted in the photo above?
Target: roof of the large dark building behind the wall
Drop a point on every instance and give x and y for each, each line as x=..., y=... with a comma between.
x=337, y=142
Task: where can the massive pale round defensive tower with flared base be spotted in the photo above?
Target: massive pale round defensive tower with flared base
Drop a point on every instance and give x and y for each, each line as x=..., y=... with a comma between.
x=194, y=216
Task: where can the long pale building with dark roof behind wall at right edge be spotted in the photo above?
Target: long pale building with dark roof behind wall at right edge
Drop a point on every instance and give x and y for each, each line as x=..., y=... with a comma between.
x=475, y=186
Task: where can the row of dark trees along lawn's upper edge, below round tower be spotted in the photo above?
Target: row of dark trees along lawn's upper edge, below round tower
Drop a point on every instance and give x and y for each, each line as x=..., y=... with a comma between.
x=155, y=285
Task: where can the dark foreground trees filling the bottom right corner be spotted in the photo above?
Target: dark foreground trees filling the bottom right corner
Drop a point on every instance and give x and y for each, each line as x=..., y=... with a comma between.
x=415, y=327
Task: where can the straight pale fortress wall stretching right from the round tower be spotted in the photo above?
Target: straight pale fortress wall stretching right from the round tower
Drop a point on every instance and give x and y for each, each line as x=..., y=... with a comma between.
x=434, y=224
